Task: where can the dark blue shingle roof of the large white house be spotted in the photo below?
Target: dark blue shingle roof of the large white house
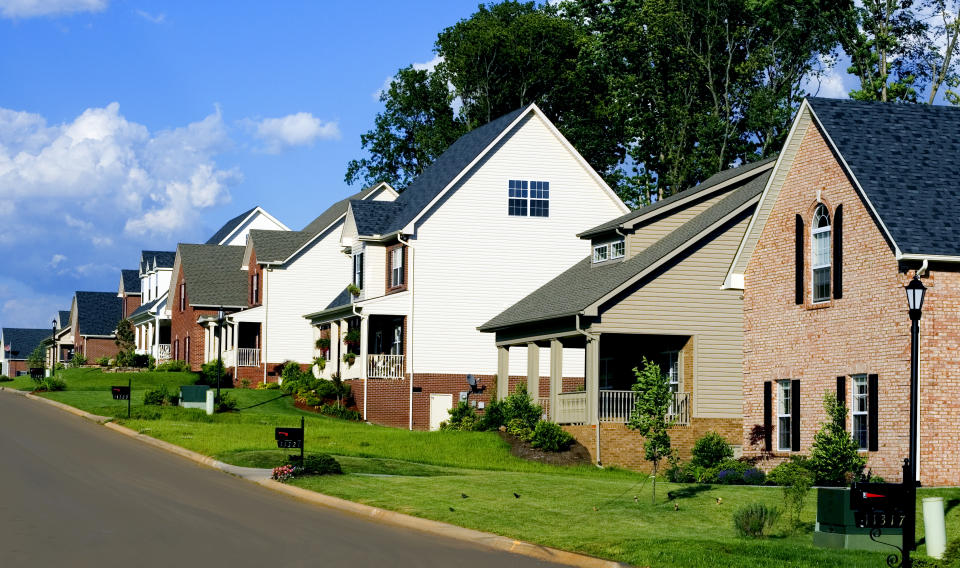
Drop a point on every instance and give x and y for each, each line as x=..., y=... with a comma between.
x=381, y=219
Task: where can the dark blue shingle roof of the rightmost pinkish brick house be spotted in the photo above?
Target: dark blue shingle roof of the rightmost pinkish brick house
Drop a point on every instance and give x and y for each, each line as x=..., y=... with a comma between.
x=907, y=160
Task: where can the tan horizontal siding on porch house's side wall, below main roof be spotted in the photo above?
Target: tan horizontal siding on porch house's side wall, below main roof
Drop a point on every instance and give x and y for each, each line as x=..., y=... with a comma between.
x=687, y=300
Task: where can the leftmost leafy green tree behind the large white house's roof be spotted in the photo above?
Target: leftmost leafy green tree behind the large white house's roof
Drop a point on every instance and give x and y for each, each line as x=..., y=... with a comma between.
x=417, y=124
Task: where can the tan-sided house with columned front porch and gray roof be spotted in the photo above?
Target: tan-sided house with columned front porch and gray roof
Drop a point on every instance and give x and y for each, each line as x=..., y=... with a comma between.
x=651, y=288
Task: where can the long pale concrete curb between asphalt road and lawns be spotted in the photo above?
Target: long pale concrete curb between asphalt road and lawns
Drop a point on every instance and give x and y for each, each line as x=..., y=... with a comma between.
x=261, y=477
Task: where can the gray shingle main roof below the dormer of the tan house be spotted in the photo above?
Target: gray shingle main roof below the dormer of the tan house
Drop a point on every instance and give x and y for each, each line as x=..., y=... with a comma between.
x=584, y=284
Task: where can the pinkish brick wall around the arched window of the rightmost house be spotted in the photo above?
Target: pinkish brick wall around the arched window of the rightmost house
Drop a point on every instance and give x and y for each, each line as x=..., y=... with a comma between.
x=867, y=331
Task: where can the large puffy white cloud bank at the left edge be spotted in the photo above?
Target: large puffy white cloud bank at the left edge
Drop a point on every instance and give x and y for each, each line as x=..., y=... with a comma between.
x=103, y=172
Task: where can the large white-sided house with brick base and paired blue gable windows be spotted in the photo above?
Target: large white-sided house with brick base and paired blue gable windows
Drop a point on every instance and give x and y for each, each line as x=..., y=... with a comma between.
x=497, y=212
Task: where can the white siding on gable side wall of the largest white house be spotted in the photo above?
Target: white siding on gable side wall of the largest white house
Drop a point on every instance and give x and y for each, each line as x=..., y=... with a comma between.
x=472, y=260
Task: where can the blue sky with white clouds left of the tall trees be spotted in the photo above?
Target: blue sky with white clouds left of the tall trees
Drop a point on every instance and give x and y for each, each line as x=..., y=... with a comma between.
x=130, y=125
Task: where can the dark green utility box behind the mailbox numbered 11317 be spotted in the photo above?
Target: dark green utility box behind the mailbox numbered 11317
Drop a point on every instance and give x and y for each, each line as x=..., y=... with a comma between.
x=836, y=527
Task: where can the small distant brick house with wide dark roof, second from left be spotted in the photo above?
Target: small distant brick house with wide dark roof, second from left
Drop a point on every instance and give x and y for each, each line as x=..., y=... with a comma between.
x=93, y=319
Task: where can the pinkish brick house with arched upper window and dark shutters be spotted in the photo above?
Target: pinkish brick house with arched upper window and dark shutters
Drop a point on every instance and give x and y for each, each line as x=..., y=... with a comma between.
x=863, y=197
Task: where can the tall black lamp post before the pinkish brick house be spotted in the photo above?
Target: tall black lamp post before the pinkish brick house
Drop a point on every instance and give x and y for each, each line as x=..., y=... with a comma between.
x=915, y=292
